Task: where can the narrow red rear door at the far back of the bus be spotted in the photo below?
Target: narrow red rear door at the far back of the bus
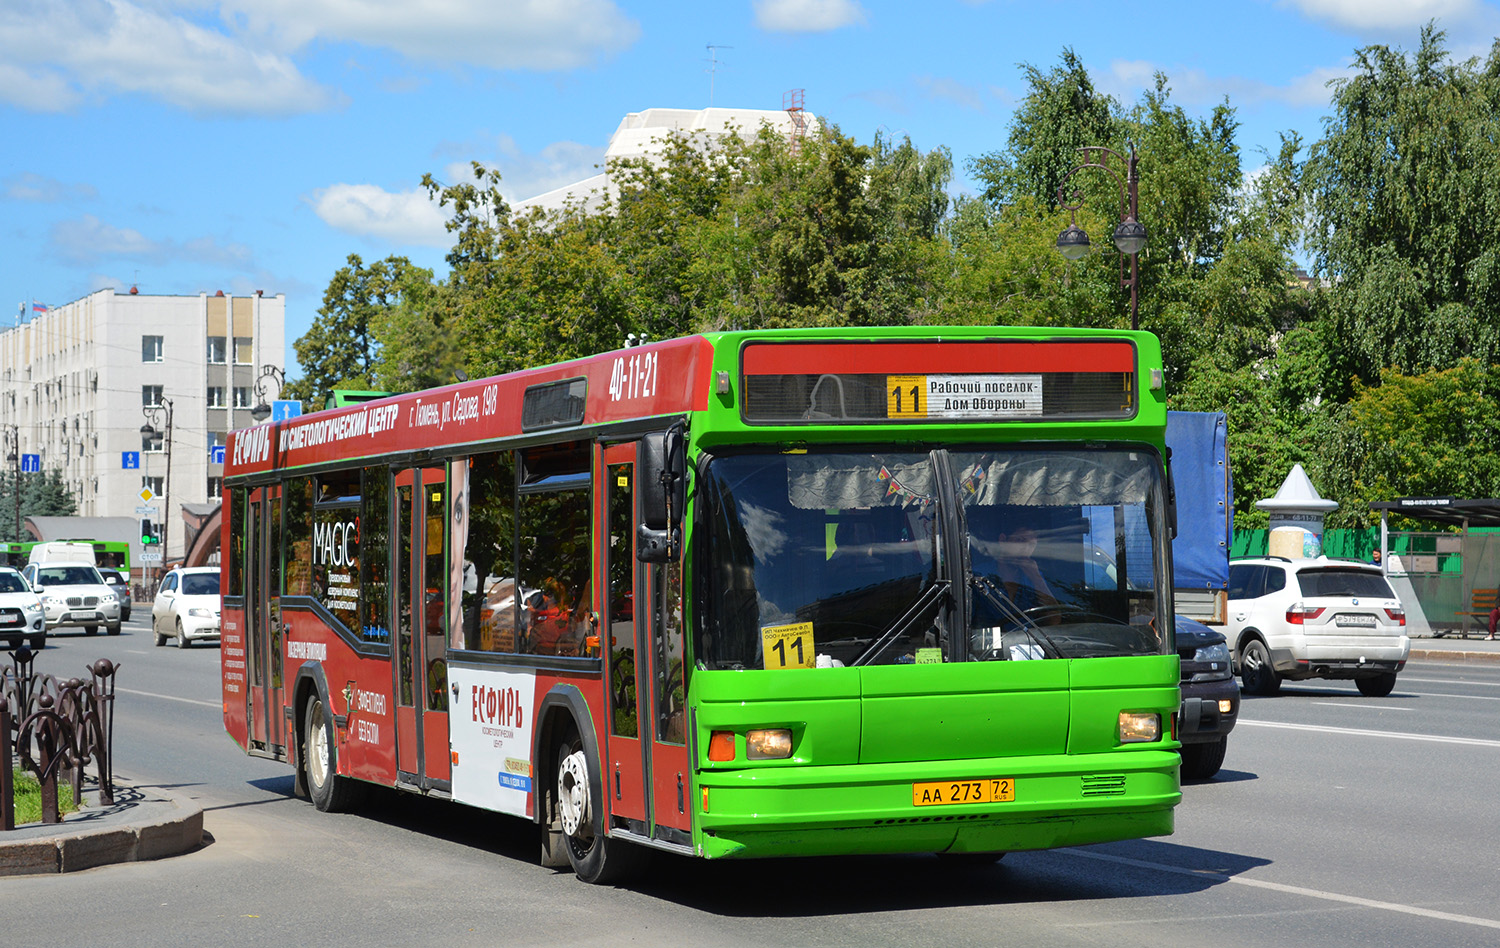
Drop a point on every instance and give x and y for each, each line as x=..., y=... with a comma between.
x=263, y=652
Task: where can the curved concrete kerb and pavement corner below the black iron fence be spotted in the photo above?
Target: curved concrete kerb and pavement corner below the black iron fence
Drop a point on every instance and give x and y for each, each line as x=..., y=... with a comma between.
x=143, y=824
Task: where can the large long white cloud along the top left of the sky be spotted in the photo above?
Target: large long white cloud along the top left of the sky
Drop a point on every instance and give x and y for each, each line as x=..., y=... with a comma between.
x=236, y=56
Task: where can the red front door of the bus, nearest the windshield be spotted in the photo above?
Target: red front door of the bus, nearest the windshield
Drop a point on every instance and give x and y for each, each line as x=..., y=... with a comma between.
x=641, y=640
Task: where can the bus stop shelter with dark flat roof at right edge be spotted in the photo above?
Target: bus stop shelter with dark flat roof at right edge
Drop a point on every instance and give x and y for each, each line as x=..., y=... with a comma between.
x=1447, y=577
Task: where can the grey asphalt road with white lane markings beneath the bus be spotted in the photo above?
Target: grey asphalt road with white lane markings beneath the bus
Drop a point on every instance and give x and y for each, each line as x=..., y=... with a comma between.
x=1337, y=821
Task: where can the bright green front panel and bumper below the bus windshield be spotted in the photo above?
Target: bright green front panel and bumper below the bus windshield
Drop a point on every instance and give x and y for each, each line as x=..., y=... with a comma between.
x=865, y=739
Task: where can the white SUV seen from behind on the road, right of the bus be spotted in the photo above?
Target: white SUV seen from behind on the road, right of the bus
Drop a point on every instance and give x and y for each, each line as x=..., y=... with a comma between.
x=1315, y=619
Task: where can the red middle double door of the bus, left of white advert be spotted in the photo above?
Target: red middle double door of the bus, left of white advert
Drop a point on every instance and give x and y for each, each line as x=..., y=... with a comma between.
x=422, y=673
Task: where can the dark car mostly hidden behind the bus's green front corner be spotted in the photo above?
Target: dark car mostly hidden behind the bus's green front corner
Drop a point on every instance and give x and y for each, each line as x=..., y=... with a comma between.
x=1210, y=698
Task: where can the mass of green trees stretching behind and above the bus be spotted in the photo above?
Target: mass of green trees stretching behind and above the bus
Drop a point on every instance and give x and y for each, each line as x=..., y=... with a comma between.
x=1372, y=376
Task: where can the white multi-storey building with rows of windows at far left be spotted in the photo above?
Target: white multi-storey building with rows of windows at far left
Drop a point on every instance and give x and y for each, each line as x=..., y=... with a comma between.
x=77, y=382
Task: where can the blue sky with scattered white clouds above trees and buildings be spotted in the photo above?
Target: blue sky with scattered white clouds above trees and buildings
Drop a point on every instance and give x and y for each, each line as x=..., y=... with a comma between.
x=190, y=146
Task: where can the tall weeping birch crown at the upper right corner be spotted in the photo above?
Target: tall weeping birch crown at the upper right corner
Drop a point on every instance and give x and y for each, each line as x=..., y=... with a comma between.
x=1406, y=184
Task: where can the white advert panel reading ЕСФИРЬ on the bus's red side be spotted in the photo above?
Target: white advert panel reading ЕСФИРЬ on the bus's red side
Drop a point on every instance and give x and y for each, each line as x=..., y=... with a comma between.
x=490, y=733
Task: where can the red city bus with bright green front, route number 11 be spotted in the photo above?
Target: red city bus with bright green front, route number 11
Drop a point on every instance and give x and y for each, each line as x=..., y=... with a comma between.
x=737, y=595
